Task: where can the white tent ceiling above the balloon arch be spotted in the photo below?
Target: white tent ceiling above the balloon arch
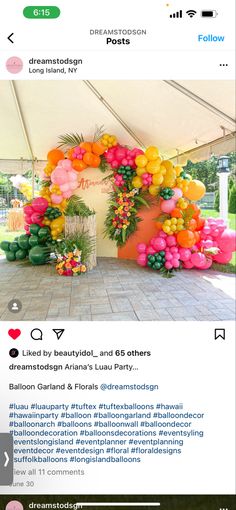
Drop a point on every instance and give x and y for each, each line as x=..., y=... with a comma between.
x=192, y=117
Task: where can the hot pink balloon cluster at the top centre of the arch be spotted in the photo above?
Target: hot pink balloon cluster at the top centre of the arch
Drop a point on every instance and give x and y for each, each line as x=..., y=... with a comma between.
x=122, y=156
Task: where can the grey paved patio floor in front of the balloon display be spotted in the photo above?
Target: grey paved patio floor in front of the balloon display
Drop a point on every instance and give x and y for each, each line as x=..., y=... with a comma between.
x=115, y=290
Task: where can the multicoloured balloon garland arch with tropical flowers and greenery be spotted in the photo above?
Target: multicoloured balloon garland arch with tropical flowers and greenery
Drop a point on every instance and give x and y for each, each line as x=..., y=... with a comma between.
x=140, y=177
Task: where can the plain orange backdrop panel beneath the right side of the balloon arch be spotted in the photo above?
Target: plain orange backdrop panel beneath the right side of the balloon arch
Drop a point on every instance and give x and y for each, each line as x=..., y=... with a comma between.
x=146, y=230
